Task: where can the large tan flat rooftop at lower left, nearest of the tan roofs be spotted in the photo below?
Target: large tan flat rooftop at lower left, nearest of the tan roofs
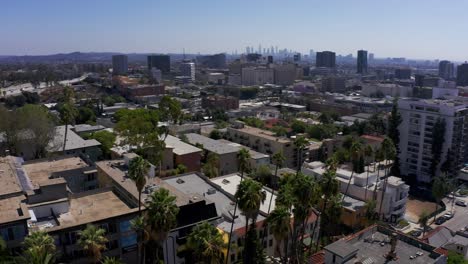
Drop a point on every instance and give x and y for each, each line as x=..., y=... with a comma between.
x=92, y=207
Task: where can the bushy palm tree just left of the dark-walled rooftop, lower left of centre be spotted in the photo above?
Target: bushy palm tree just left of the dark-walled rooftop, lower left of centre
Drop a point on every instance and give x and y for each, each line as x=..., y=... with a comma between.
x=161, y=216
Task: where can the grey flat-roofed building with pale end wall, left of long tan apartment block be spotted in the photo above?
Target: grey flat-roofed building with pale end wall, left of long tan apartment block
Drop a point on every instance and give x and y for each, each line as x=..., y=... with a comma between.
x=227, y=154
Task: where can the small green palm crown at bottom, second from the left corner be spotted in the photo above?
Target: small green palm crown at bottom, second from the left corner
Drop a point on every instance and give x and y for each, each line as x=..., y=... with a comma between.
x=93, y=240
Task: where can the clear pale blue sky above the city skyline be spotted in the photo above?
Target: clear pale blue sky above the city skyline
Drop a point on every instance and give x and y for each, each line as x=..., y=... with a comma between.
x=397, y=28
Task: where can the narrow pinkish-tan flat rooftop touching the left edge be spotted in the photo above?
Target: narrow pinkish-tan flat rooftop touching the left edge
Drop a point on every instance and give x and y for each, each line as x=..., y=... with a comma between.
x=9, y=181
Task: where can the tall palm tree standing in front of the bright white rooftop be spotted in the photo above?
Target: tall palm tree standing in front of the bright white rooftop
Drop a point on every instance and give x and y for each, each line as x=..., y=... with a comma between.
x=250, y=195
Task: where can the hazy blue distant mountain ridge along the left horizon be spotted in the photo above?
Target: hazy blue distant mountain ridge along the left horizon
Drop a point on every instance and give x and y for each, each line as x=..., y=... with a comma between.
x=83, y=57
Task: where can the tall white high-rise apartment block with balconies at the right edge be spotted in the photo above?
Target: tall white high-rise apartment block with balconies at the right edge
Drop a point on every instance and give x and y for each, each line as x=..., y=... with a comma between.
x=418, y=119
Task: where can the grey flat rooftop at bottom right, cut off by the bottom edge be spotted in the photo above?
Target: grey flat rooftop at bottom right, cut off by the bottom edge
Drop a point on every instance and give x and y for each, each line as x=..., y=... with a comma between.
x=371, y=244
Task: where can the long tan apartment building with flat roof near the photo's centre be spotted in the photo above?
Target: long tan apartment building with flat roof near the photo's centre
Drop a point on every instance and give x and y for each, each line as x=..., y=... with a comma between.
x=263, y=141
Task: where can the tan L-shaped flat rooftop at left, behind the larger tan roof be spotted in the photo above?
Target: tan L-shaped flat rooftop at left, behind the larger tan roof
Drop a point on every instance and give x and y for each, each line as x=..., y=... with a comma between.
x=40, y=171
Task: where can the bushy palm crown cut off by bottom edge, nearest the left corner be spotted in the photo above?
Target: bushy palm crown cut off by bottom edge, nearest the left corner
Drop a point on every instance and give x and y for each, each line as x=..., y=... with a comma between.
x=39, y=248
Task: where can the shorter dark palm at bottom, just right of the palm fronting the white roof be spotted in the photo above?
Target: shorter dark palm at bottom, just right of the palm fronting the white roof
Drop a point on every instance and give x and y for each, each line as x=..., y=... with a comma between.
x=280, y=223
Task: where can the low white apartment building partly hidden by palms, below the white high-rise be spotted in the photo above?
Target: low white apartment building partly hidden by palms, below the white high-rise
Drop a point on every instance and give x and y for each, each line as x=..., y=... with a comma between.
x=363, y=185
